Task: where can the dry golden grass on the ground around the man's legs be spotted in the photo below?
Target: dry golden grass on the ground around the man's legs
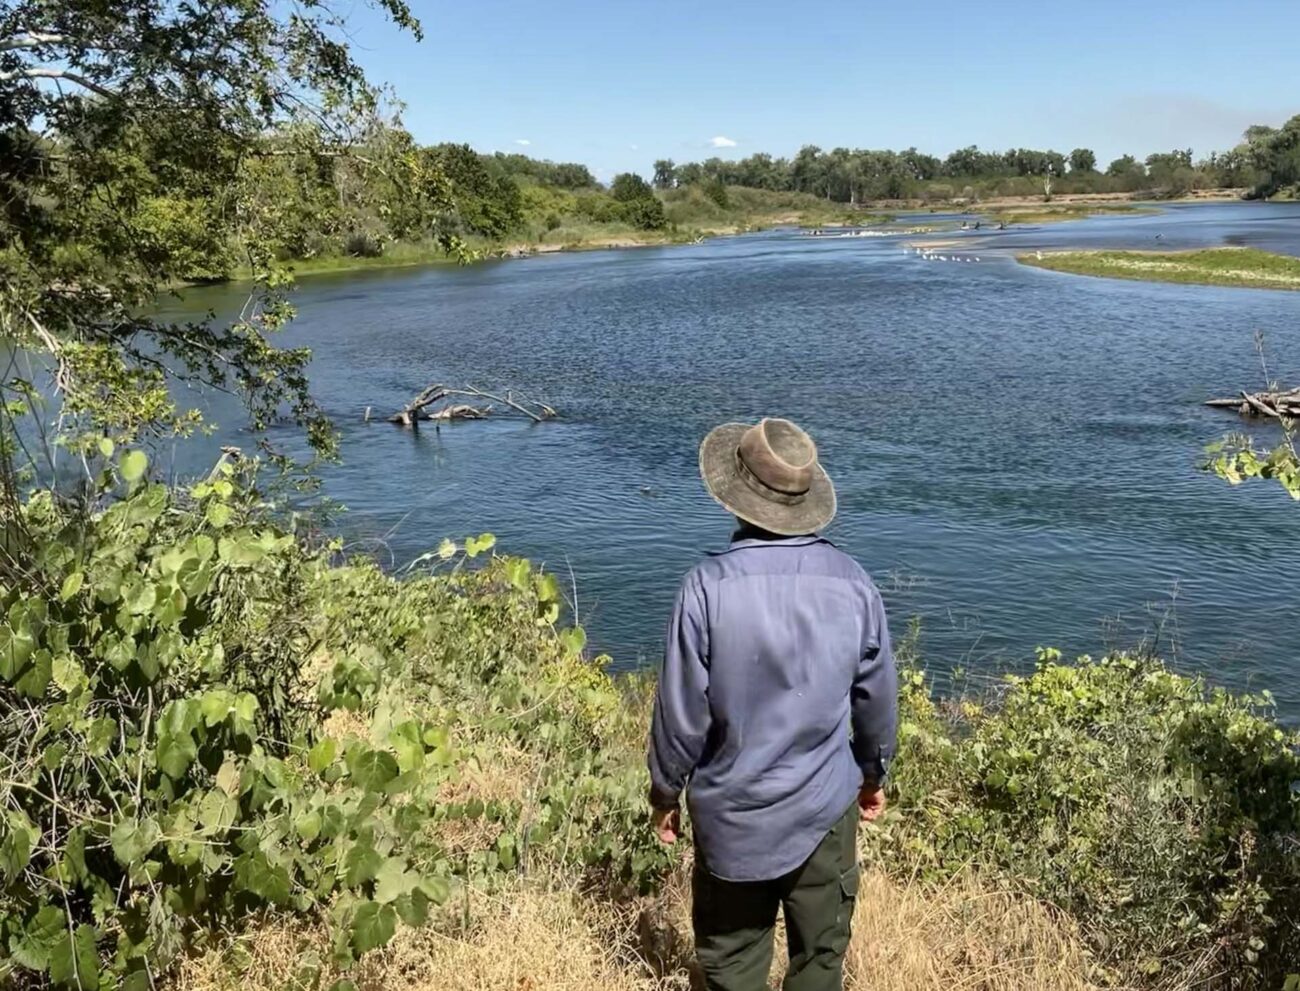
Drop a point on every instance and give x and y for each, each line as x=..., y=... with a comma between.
x=528, y=938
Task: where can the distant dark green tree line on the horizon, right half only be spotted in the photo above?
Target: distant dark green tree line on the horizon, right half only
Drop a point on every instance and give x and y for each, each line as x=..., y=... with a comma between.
x=1266, y=163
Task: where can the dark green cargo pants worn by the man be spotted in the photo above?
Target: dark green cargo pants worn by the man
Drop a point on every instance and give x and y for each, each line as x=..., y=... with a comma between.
x=734, y=920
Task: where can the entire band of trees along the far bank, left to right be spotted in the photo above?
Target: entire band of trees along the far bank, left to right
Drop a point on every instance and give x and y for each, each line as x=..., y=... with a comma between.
x=306, y=194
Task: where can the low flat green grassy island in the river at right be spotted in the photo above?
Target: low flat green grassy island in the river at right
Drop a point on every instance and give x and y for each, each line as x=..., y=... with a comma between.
x=1212, y=267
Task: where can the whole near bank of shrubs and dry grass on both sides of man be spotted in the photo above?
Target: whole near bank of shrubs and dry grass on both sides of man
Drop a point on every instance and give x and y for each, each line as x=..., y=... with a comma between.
x=319, y=772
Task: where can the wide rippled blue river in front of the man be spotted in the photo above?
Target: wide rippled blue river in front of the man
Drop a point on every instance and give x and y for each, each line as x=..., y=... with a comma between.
x=1016, y=451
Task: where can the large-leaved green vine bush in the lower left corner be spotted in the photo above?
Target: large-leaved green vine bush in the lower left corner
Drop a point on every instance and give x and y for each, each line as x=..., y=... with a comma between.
x=161, y=771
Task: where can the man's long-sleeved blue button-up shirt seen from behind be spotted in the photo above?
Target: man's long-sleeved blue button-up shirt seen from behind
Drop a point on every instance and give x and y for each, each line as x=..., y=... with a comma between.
x=777, y=650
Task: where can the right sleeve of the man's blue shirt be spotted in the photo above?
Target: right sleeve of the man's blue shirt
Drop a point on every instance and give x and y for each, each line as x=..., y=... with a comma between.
x=876, y=698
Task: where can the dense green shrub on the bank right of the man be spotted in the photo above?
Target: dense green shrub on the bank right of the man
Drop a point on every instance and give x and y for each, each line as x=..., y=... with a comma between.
x=1162, y=815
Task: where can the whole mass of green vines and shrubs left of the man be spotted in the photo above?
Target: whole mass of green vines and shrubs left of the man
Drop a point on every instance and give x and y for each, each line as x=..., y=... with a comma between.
x=172, y=760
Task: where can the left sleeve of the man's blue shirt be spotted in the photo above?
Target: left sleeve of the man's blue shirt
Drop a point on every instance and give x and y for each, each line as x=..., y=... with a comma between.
x=682, y=716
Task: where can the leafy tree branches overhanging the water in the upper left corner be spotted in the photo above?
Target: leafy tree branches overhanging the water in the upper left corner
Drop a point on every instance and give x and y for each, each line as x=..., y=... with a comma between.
x=135, y=170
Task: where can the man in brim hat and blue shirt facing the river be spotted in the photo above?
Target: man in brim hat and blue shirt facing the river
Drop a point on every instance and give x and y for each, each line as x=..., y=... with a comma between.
x=777, y=715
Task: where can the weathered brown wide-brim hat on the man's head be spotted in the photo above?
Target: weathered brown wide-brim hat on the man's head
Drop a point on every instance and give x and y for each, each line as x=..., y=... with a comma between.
x=769, y=475
